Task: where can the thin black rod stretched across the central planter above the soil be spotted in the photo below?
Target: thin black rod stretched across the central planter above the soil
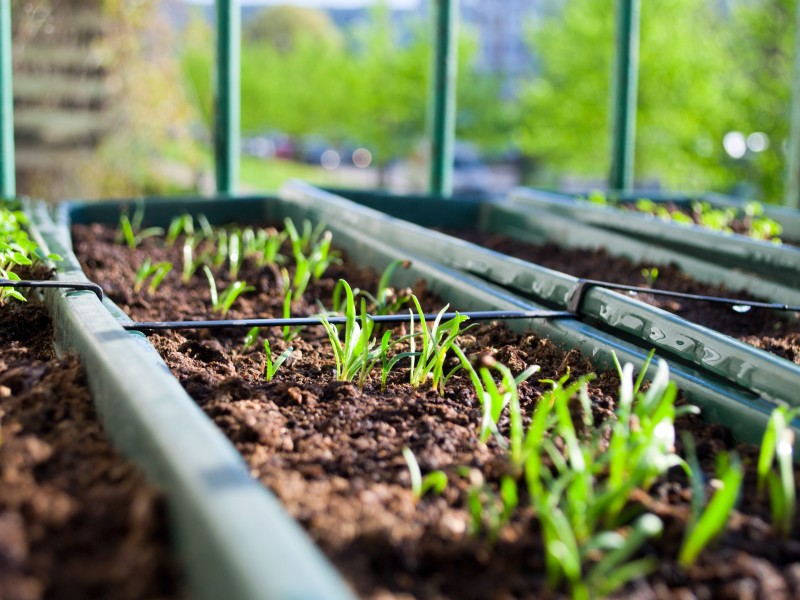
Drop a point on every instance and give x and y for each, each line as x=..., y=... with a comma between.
x=486, y=315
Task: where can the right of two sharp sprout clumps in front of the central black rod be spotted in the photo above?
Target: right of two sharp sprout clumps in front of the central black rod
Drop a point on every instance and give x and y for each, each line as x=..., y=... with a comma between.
x=435, y=340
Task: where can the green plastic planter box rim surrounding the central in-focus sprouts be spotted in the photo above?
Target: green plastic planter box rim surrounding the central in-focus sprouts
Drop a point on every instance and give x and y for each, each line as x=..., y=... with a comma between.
x=234, y=538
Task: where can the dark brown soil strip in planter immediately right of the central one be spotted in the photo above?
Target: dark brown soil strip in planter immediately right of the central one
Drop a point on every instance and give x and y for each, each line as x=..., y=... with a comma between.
x=761, y=328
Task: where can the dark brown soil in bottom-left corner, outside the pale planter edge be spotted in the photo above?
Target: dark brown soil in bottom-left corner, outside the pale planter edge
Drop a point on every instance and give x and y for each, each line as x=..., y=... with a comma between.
x=76, y=520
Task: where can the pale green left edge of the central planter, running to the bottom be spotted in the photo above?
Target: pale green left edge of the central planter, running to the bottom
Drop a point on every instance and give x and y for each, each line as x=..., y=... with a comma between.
x=233, y=538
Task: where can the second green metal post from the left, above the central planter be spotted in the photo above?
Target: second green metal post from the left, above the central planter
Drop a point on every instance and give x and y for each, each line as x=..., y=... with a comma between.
x=228, y=93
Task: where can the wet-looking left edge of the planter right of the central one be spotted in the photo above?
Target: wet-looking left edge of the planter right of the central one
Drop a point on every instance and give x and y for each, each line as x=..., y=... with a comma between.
x=764, y=374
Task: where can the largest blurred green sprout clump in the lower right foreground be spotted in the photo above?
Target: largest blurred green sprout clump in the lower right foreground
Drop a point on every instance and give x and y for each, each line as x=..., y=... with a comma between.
x=580, y=485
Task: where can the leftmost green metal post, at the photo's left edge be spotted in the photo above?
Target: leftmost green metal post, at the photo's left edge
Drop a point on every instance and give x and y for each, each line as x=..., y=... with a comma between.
x=8, y=184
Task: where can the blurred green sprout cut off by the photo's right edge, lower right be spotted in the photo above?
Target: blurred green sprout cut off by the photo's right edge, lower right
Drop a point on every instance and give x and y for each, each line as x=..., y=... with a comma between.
x=777, y=446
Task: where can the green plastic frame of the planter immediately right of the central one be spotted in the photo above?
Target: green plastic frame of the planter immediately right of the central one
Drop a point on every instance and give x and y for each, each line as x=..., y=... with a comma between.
x=765, y=375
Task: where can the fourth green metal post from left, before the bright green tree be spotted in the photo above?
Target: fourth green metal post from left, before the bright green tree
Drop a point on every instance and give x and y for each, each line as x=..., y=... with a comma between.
x=626, y=75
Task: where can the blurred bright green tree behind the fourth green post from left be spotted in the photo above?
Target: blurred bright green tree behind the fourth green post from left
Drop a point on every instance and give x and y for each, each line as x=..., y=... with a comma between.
x=685, y=108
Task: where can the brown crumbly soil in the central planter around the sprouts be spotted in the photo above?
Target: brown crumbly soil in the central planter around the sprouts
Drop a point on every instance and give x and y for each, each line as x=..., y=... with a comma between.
x=332, y=452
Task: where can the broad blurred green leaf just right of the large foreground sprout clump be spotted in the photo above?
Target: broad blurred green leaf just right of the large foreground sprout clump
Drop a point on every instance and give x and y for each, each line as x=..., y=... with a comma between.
x=708, y=523
